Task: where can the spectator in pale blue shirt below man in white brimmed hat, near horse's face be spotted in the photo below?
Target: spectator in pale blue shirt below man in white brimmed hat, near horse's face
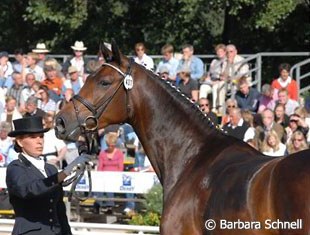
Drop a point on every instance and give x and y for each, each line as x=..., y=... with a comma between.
x=75, y=82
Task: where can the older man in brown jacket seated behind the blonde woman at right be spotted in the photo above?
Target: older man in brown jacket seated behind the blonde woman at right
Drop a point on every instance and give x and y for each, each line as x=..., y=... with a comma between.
x=268, y=124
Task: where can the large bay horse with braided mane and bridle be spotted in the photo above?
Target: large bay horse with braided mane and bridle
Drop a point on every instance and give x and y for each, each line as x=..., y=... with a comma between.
x=212, y=183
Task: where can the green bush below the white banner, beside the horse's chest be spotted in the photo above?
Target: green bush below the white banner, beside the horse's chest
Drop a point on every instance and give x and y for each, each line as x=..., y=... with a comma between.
x=153, y=206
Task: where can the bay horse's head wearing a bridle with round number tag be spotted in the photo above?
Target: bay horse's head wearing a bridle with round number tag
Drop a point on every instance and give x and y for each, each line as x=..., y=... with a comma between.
x=102, y=100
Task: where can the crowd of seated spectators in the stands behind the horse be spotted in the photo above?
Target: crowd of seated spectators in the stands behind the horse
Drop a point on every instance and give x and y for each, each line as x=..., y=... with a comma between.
x=272, y=121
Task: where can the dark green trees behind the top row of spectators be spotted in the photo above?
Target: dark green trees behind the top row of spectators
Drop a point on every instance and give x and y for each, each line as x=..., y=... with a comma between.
x=266, y=25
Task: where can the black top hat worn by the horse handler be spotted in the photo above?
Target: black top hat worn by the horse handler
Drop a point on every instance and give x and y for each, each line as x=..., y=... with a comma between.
x=27, y=125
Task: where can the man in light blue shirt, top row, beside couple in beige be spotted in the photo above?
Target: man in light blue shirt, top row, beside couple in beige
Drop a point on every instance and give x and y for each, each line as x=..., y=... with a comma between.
x=191, y=61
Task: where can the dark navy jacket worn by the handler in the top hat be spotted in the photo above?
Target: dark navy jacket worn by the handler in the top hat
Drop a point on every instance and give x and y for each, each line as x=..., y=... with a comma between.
x=37, y=201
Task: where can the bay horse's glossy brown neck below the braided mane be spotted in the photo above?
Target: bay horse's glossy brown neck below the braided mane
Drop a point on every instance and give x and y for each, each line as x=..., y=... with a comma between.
x=169, y=131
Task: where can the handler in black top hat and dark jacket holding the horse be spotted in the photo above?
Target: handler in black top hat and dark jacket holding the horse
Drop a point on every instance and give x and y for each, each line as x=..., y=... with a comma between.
x=35, y=187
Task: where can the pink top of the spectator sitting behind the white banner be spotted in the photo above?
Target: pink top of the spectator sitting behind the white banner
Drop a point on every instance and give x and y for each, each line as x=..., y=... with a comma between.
x=114, y=163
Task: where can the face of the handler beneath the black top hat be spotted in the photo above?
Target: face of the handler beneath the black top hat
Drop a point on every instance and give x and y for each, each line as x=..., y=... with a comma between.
x=32, y=144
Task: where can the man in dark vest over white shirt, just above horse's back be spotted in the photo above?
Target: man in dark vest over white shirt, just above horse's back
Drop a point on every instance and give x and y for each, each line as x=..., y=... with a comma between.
x=237, y=127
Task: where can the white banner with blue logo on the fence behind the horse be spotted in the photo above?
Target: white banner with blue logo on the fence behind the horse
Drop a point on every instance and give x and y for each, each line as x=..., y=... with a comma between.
x=103, y=181
